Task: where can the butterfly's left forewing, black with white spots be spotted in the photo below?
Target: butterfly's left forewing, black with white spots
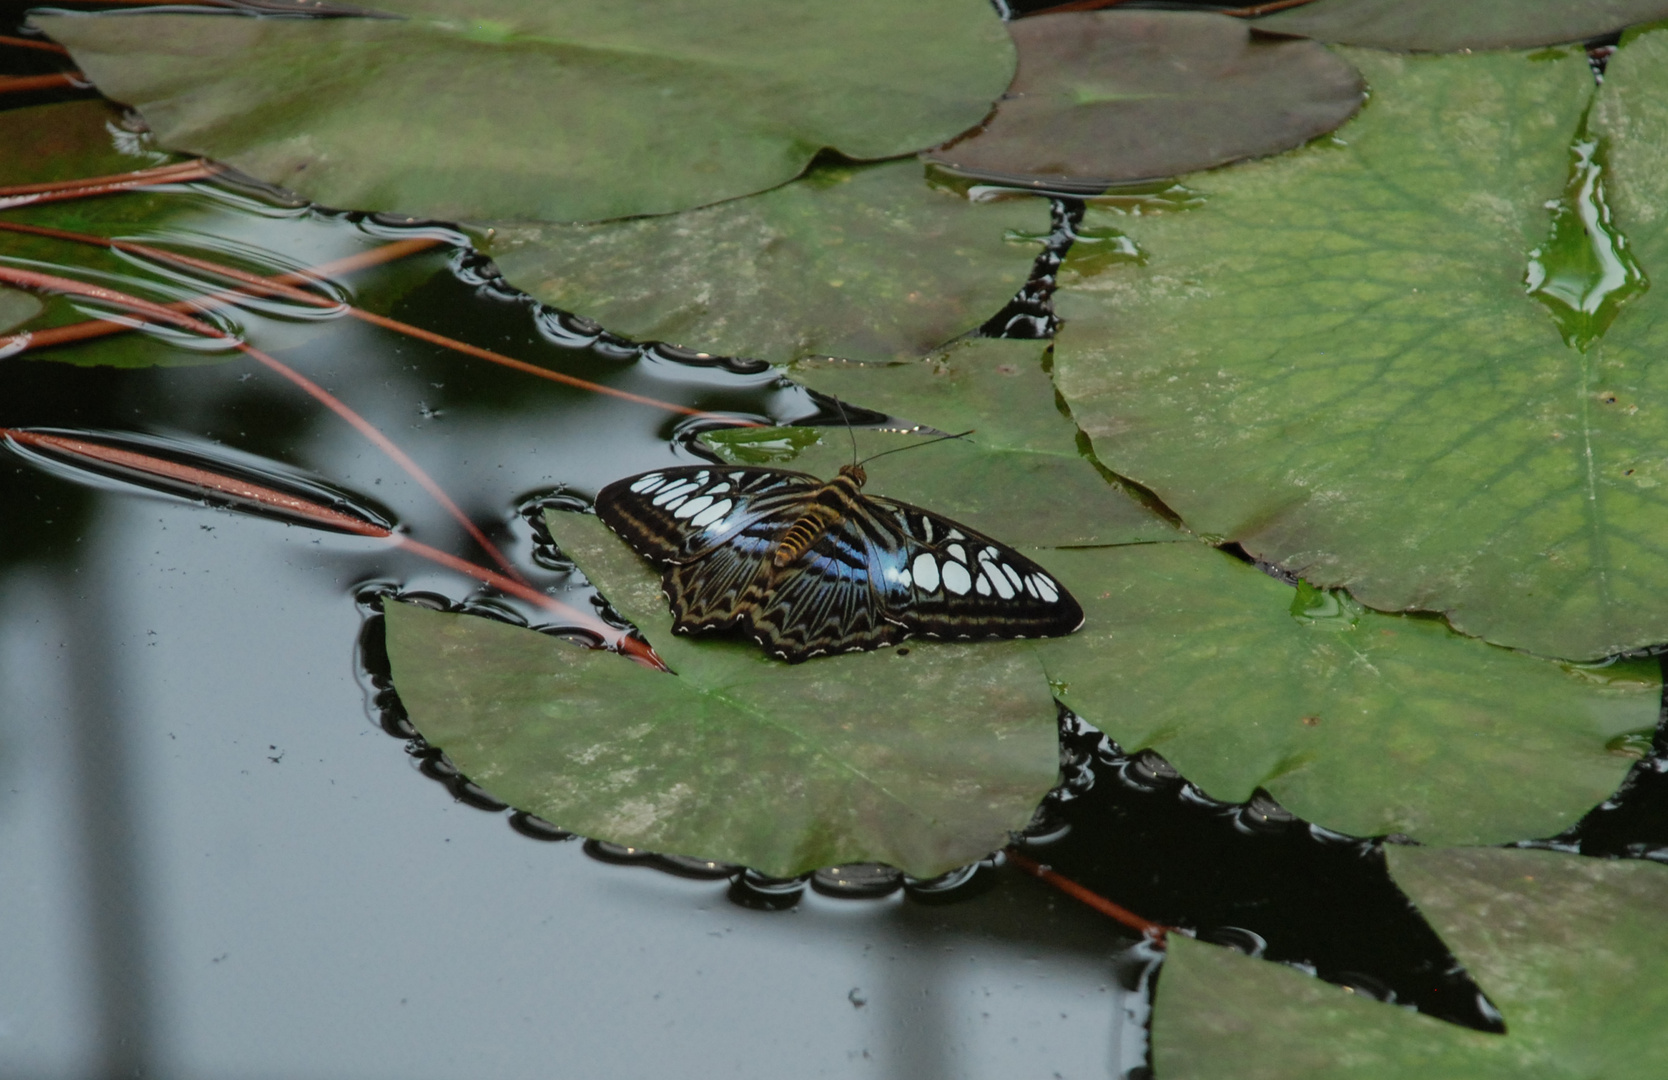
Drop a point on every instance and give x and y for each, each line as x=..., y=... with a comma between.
x=680, y=515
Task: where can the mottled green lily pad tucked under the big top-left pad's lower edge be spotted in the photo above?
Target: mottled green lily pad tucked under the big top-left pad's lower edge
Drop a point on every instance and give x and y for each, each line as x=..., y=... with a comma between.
x=862, y=263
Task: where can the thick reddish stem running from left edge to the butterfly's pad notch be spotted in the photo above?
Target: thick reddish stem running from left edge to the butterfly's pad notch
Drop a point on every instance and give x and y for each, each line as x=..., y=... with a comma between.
x=314, y=513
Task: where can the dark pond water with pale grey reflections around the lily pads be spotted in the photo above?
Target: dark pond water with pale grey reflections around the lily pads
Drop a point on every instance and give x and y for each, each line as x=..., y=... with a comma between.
x=219, y=864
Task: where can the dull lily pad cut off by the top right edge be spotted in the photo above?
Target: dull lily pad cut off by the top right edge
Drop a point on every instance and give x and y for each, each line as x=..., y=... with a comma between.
x=1437, y=26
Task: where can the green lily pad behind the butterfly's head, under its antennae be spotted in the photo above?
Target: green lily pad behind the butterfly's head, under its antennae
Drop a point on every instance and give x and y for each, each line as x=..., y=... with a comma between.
x=1020, y=477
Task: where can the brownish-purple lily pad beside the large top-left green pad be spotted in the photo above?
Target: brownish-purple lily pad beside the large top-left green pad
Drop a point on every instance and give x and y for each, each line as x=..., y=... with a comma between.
x=1108, y=98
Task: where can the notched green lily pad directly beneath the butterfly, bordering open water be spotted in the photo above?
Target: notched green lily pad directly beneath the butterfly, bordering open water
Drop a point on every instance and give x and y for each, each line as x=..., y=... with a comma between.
x=923, y=757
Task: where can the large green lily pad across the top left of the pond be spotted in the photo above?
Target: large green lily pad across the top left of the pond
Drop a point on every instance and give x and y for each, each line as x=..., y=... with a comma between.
x=550, y=109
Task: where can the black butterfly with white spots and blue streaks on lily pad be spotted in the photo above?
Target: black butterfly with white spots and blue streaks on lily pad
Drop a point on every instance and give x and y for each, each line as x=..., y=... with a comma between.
x=811, y=567
